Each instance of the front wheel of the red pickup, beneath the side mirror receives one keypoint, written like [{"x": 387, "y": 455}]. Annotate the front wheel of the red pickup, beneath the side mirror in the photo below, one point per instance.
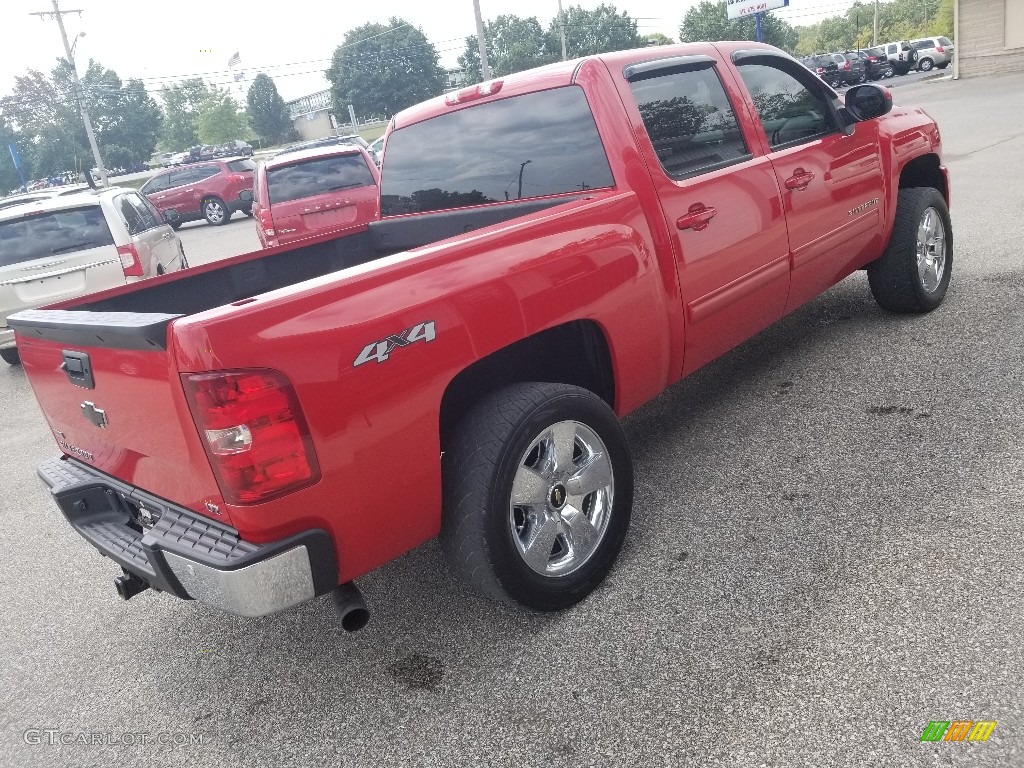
[{"x": 897, "y": 279}]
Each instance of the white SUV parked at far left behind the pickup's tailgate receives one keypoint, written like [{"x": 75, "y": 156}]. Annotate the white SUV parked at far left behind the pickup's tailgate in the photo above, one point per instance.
[{"x": 70, "y": 245}]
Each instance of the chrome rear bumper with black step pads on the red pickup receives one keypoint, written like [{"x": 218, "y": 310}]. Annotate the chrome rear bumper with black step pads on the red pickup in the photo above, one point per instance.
[{"x": 178, "y": 551}]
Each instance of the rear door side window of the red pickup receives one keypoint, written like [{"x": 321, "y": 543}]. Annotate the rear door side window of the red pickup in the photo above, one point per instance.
[{"x": 691, "y": 122}]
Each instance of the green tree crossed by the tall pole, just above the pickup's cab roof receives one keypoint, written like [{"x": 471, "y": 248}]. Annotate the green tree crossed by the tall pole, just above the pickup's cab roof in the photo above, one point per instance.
[{"x": 515, "y": 45}]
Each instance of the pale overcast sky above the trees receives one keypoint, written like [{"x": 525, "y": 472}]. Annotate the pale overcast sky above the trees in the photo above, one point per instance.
[{"x": 292, "y": 42}]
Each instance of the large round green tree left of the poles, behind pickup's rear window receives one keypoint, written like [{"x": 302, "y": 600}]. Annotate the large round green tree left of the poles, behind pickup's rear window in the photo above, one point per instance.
[{"x": 383, "y": 69}]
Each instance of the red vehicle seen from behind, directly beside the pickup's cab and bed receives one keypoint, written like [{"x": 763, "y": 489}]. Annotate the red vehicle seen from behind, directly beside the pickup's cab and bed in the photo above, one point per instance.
[{"x": 313, "y": 192}]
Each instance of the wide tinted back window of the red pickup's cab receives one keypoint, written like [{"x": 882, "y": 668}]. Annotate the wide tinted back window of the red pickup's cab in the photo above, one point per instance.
[{"x": 549, "y": 146}]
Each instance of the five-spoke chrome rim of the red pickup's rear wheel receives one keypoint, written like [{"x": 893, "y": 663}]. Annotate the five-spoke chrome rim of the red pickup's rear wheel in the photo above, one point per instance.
[{"x": 563, "y": 498}]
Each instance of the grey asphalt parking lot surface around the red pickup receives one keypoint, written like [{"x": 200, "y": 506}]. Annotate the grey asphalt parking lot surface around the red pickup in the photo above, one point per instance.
[{"x": 826, "y": 556}]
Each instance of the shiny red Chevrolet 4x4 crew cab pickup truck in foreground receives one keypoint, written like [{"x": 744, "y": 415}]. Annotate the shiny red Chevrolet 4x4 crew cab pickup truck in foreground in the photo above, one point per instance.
[{"x": 557, "y": 248}]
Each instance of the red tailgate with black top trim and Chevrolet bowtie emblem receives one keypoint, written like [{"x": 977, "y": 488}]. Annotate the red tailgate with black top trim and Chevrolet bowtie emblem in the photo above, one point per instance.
[{"x": 112, "y": 396}]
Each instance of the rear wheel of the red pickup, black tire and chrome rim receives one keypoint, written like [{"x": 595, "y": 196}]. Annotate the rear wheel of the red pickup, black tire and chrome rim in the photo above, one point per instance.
[{"x": 495, "y": 444}]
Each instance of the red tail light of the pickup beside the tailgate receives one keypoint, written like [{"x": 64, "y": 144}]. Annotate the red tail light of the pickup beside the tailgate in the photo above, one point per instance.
[{"x": 254, "y": 434}]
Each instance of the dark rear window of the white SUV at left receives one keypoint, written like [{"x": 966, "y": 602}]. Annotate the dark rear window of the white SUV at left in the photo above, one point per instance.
[{"x": 38, "y": 236}]
